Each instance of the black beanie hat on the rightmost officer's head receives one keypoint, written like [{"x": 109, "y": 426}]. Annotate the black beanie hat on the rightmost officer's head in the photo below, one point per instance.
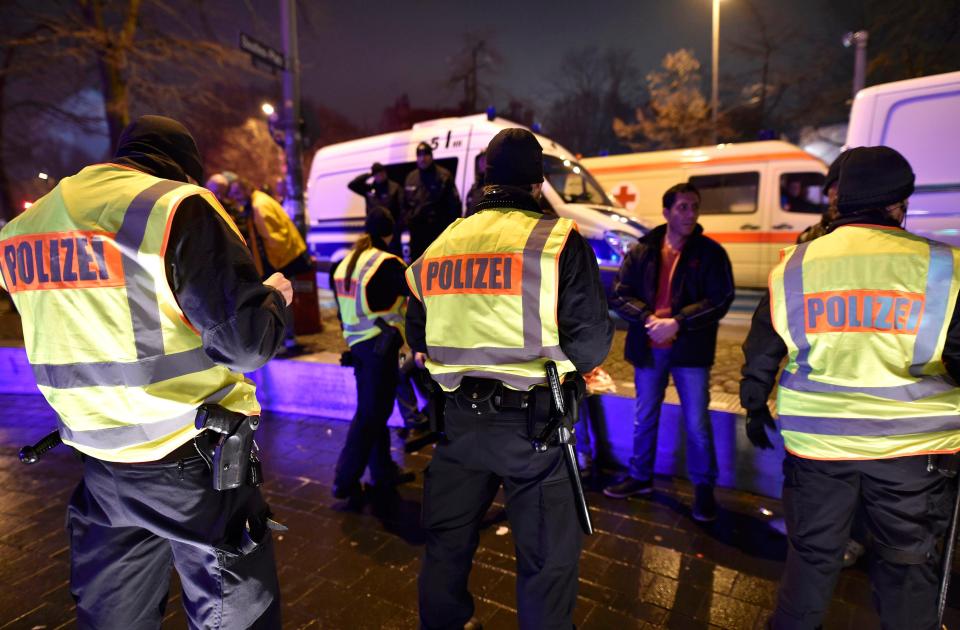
[{"x": 873, "y": 177}]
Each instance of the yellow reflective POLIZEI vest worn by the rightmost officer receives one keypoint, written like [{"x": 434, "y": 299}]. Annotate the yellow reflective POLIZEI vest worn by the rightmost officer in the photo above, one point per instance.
[{"x": 864, "y": 313}]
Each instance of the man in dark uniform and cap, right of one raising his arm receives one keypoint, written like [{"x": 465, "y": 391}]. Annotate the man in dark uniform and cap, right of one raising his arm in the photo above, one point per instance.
[{"x": 431, "y": 201}]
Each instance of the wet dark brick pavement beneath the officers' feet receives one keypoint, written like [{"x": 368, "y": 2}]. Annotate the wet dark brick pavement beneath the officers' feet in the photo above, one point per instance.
[{"x": 650, "y": 565}]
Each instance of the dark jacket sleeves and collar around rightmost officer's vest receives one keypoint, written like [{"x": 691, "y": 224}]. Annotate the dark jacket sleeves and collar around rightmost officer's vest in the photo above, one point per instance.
[{"x": 764, "y": 349}]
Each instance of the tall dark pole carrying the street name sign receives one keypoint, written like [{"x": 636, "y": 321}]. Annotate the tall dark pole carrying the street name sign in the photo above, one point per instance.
[{"x": 292, "y": 143}]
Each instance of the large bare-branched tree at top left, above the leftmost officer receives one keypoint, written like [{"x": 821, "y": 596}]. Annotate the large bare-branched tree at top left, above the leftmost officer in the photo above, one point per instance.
[{"x": 141, "y": 56}]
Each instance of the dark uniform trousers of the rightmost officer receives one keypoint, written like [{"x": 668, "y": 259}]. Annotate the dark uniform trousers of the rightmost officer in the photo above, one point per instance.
[{"x": 907, "y": 510}]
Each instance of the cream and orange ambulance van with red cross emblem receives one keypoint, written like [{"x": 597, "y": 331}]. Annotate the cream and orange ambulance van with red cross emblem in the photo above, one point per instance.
[{"x": 756, "y": 197}]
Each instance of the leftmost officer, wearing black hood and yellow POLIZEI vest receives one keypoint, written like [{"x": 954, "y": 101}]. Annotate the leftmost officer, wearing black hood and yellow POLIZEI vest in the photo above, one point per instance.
[{"x": 140, "y": 303}]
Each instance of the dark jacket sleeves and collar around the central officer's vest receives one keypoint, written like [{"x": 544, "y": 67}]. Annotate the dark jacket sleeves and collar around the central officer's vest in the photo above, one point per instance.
[{"x": 586, "y": 330}]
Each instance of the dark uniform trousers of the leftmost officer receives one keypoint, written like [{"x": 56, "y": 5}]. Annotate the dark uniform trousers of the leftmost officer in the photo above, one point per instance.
[{"x": 128, "y": 523}]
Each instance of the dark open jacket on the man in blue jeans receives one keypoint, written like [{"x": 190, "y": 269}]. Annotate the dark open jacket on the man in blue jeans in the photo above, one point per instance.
[{"x": 700, "y": 295}]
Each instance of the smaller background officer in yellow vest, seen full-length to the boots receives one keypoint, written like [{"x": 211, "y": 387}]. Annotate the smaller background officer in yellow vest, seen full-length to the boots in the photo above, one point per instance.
[{"x": 371, "y": 295}]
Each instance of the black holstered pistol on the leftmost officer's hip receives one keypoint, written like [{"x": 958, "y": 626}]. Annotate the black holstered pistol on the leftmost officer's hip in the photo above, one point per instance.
[{"x": 228, "y": 447}]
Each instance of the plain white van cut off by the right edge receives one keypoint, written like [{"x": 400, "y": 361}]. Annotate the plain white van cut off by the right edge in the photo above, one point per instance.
[{"x": 920, "y": 118}]
